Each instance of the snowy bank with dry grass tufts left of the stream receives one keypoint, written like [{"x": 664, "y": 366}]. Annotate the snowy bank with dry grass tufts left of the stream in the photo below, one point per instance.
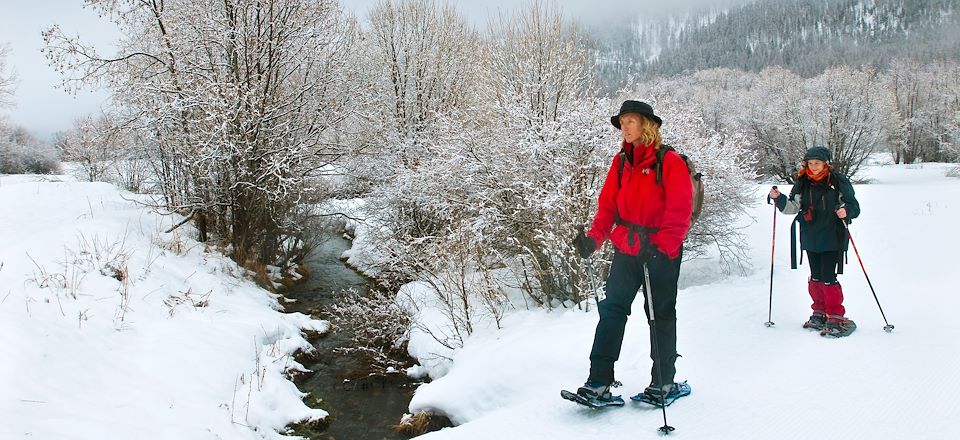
[{"x": 113, "y": 329}]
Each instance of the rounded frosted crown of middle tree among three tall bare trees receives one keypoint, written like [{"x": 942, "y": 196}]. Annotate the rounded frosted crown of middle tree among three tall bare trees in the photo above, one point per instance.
[{"x": 421, "y": 55}]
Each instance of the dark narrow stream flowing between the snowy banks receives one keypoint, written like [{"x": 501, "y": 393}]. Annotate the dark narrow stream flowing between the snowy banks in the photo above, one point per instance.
[{"x": 359, "y": 409}]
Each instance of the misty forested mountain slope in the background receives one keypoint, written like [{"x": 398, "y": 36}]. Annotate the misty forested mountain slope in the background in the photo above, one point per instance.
[{"x": 805, "y": 36}]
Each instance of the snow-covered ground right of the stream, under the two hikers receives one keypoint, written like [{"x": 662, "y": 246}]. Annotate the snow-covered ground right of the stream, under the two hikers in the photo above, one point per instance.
[{"x": 750, "y": 381}]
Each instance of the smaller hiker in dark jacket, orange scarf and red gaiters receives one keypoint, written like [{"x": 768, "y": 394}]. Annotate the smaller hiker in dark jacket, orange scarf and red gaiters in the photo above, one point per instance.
[{"x": 824, "y": 203}]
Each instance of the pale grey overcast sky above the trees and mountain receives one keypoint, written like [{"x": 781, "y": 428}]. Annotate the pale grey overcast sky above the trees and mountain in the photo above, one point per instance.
[{"x": 44, "y": 109}]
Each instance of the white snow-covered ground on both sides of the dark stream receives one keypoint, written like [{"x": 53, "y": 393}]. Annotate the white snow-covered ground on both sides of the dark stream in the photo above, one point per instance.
[{"x": 113, "y": 329}]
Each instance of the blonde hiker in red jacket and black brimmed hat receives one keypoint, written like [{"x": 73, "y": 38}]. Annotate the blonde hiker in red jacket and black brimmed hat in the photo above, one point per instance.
[{"x": 647, "y": 222}]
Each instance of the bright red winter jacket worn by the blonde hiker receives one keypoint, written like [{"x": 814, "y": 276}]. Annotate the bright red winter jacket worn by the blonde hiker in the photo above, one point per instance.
[{"x": 644, "y": 202}]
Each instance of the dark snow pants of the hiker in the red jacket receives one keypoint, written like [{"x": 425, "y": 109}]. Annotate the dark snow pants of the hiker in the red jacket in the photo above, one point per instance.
[{"x": 623, "y": 283}]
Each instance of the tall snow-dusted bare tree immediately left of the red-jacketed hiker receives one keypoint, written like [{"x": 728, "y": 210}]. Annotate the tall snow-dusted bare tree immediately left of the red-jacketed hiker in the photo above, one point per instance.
[{"x": 541, "y": 133}]
